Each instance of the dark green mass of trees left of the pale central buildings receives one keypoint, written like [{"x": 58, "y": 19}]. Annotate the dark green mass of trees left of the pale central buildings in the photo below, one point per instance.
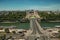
[{"x": 12, "y": 16}]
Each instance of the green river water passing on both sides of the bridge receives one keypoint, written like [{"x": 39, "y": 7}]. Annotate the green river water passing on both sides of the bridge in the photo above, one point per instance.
[{"x": 26, "y": 25}]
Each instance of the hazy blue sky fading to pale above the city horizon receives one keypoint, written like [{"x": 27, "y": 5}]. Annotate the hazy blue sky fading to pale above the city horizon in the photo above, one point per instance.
[{"x": 29, "y": 4}]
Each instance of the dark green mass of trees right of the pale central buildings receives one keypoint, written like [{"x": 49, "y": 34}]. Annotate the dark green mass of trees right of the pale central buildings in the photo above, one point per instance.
[{"x": 49, "y": 16}]
